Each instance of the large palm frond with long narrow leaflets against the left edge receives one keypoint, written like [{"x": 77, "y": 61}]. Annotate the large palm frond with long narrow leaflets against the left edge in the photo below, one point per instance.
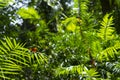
[{"x": 12, "y": 56}]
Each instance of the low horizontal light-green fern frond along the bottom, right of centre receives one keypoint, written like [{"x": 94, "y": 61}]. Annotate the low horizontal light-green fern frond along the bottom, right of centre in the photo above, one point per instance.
[{"x": 79, "y": 69}]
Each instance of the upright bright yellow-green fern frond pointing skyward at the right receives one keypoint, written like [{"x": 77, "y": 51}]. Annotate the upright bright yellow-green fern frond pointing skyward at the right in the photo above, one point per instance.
[{"x": 106, "y": 31}]
